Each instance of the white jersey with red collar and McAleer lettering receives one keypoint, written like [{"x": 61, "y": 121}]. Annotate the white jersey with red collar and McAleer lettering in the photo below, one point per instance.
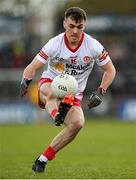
[{"x": 77, "y": 62}]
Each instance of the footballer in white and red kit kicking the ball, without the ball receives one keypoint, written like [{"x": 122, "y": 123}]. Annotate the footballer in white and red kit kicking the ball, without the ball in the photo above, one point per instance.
[{"x": 71, "y": 52}]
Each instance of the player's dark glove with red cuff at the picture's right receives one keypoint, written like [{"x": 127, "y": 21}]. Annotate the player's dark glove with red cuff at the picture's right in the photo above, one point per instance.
[{"x": 95, "y": 98}]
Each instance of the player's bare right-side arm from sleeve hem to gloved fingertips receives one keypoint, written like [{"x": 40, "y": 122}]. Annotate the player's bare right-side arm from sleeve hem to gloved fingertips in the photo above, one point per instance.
[{"x": 107, "y": 78}]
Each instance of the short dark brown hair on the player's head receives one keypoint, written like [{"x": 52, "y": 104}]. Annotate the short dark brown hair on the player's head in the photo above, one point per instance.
[{"x": 76, "y": 13}]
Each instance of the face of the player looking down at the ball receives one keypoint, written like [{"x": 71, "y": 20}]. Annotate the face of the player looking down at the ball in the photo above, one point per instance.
[{"x": 74, "y": 29}]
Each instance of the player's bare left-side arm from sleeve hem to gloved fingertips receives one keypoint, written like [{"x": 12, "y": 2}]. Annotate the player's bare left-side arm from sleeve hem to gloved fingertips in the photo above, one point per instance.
[{"x": 28, "y": 74}]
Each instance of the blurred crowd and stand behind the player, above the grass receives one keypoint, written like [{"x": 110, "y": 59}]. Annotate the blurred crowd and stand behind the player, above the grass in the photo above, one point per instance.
[{"x": 26, "y": 25}]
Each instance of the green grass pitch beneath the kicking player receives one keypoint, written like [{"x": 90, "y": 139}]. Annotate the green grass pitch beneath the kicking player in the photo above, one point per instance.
[{"x": 102, "y": 150}]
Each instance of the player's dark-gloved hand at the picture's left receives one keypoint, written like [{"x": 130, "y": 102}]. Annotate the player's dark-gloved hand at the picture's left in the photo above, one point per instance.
[{"x": 24, "y": 86}]
